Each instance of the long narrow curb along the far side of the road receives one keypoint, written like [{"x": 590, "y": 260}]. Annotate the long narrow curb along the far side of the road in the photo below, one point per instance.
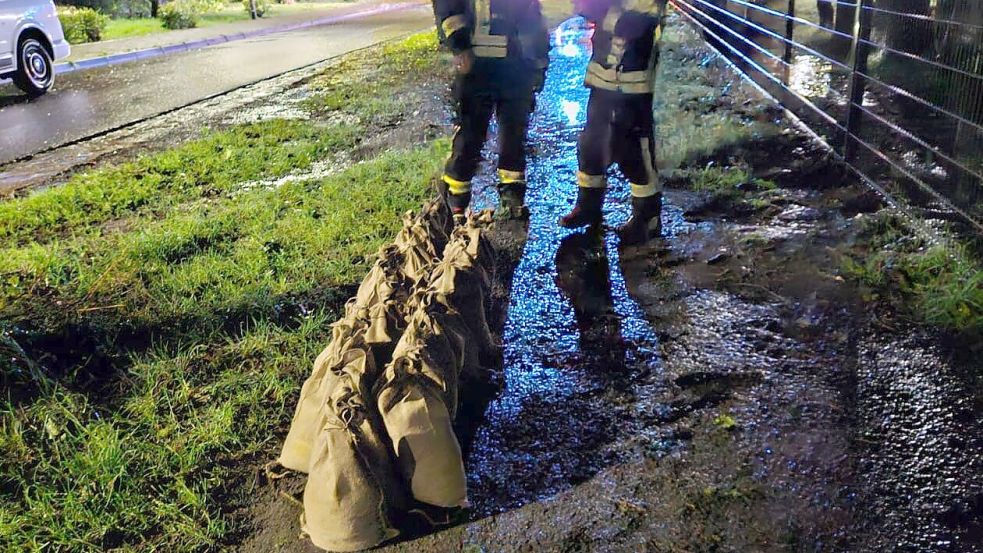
[{"x": 157, "y": 51}]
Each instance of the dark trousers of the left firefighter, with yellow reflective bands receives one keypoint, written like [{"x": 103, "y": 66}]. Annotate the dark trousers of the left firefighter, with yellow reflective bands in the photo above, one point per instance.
[{"x": 477, "y": 100}]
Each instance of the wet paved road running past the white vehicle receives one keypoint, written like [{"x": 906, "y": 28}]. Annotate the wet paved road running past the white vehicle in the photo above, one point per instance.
[{"x": 89, "y": 102}]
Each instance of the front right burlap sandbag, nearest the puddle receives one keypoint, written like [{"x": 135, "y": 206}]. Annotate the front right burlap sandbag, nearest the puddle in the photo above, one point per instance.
[{"x": 419, "y": 425}]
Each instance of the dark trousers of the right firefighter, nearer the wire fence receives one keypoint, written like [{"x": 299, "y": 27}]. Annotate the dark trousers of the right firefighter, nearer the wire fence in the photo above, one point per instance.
[{"x": 620, "y": 129}]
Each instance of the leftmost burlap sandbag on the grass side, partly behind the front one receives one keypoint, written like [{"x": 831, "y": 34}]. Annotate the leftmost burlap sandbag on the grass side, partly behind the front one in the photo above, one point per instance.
[{"x": 346, "y": 335}]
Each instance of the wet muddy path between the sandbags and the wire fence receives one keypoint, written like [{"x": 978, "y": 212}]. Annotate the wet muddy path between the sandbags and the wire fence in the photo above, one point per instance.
[{"x": 722, "y": 389}]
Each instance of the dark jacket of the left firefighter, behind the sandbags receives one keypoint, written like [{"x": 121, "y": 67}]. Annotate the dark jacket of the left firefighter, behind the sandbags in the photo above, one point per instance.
[{"x": 500, "y": 29}]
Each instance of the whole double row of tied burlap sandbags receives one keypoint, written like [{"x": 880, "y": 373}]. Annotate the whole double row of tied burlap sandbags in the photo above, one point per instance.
[{"x": 373, "y": 425}]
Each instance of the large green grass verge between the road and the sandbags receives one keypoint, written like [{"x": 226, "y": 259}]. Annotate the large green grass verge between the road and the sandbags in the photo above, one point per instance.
[{"x": 206, "y": 294}]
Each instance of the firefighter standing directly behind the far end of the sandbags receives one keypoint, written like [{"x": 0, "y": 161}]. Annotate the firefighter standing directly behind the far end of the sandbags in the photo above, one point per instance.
[{"x": 501, "y": 52}]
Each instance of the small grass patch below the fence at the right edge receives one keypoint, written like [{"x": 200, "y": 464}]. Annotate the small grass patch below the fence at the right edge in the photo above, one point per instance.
[{"x": 939, "y": 284}]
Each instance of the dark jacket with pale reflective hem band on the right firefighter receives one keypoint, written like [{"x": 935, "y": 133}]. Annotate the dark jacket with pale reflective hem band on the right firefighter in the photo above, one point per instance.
[{"x": 626, "y": 44}]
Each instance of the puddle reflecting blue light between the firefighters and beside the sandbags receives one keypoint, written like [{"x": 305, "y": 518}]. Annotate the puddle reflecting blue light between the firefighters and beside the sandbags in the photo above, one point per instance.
[{"x": 572, "y": 329}]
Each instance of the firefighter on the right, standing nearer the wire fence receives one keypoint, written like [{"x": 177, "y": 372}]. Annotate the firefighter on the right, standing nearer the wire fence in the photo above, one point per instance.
[{"x": 620, "y": 126}]
